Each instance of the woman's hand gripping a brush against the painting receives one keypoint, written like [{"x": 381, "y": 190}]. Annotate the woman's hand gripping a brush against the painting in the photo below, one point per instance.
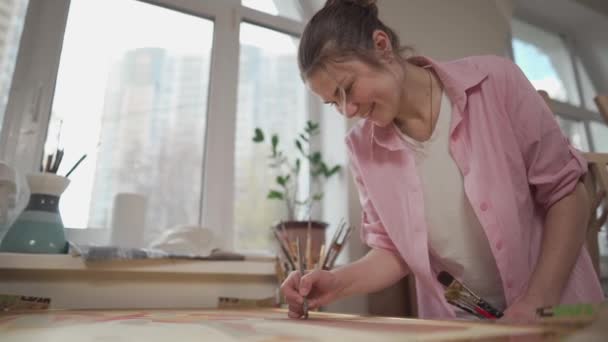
[{"x": 319, "y": 287}]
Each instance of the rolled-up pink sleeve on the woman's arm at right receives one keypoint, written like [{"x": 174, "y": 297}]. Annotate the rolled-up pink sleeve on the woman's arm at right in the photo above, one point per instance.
[{"x": 553, "y": 166}]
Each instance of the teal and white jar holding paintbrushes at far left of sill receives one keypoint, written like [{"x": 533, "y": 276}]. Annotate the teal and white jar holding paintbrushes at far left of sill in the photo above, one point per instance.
[{"x": 39, "y": 228}]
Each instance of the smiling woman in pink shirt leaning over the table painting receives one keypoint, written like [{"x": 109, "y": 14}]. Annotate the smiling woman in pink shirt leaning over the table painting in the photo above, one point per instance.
[{"x": 460, "y": 167}]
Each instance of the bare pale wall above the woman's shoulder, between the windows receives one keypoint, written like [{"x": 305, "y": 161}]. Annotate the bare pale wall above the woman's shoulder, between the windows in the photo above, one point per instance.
[{"x": 450, "y": 29}]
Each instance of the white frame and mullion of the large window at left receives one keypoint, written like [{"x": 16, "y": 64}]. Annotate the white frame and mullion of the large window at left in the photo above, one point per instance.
[{"x": 35, "y": 77}]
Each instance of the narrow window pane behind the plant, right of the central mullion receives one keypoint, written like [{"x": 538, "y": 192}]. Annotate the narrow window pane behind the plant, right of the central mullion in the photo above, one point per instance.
[{"x": 270, "y": 96}]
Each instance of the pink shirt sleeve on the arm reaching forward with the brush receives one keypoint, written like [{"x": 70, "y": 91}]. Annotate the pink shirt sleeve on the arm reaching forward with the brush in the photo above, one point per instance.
[{"x": 372, "y": 230}]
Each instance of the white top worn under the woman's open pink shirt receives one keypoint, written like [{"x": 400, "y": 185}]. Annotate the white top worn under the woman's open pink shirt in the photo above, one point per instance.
[{"x": 454, "y": 232}]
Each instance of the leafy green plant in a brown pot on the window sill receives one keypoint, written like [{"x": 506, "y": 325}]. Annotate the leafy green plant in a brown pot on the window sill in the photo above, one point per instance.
[{"x": 286, "y": 170}]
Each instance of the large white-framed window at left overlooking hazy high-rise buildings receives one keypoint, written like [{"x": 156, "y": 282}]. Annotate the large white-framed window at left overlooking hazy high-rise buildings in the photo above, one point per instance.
[{"x": 165, "y": 108}]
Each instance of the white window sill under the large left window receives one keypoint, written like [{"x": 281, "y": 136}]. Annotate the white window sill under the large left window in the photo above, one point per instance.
[{"x": 252, "y": 265}]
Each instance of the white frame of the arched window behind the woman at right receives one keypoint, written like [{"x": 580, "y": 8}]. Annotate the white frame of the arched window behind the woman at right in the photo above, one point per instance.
[{"x": 567, "y": 111}]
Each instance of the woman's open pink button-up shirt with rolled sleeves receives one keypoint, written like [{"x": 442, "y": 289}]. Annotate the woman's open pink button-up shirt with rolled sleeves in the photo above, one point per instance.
[{"x": 515, "y": 162}]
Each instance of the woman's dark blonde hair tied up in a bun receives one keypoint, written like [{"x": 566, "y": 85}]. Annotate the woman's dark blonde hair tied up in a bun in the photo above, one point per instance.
[{"x": 343, "y": 30}]
